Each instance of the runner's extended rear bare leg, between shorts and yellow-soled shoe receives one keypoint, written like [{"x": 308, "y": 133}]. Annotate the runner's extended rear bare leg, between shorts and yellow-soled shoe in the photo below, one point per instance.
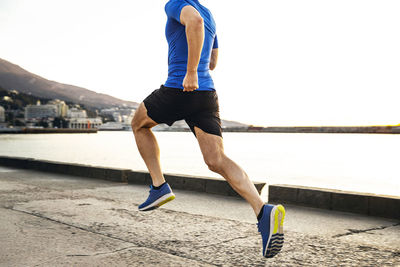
[{"x": 213, "y": 153}]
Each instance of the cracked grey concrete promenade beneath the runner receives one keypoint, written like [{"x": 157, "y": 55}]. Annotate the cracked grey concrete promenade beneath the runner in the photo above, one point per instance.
[{"x": 49, "y": 219}]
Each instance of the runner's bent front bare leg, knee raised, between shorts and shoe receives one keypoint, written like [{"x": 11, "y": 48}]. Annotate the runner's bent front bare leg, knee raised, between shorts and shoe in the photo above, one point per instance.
[{"x": 147, "y": 144}]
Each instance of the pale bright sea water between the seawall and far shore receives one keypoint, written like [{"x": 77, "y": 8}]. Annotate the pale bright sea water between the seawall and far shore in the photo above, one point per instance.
[{"x": 356, "y": 162}]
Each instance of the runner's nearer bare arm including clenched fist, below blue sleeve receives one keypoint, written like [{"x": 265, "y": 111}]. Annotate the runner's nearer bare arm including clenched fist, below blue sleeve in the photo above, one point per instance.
[{"x": 194, "y": 27}]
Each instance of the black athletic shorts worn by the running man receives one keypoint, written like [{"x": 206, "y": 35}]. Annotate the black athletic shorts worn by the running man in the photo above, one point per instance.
[{"x": 197, "y": 108}]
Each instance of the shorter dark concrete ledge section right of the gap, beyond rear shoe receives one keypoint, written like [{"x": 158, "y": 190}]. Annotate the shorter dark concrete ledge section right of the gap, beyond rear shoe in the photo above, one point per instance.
[{"x": 369, "y": 204}]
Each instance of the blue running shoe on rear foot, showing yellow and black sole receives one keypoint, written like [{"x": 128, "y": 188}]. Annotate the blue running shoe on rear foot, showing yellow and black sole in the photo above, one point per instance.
[{"x": 271, "y": 228}]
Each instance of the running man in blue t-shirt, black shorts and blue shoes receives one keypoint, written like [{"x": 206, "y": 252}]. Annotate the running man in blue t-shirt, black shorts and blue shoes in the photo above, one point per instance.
[{"x": 189, "y": 94}]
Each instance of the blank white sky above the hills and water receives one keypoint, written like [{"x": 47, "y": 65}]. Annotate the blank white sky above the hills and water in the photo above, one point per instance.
[{"x": 292, "y": 62}]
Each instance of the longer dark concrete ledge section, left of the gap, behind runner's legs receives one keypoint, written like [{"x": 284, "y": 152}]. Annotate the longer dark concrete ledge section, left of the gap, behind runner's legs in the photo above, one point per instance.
[{"x": 191, "y": 183}]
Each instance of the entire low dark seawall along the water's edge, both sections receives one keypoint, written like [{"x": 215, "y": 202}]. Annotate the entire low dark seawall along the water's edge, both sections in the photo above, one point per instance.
[{"x": 361, "y": 203}]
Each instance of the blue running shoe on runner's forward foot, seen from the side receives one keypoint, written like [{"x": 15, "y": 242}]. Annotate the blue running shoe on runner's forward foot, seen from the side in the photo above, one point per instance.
[{"x": 157, "y": 197}]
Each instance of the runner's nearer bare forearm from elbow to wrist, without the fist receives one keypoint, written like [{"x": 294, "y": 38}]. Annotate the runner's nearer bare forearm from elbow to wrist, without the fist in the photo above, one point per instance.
[{"x": 195, "y": 40}]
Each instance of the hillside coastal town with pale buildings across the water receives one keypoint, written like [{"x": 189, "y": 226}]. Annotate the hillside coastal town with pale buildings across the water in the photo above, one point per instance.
[{"x": 57, "y": 116}]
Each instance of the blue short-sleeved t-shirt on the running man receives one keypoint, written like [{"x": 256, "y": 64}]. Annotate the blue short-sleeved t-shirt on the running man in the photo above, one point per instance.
[{"x": 178, "y": 48}]
